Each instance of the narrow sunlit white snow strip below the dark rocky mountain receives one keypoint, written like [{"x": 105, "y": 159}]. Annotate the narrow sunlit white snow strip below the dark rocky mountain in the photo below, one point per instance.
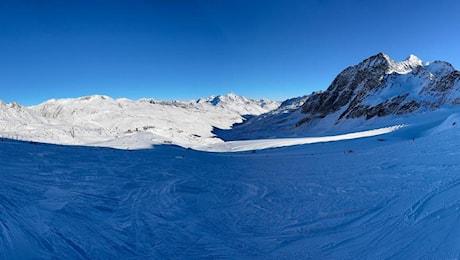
[{"x": 249, "y": 145}]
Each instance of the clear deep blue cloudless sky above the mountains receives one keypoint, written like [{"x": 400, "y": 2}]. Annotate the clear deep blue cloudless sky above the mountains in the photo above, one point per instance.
[{"x": 190, "y": 49}]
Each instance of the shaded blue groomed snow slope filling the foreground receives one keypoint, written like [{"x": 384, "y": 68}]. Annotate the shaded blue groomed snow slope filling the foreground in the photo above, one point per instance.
[{"x": 389, "y": 196}]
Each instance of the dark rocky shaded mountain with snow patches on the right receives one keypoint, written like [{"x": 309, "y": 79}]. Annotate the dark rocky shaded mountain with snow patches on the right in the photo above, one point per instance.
[{"x": 375, "y": 91}]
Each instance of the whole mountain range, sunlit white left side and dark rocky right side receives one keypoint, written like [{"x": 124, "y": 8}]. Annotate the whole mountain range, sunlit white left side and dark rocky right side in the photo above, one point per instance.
[{"x": 374, "y": 93}]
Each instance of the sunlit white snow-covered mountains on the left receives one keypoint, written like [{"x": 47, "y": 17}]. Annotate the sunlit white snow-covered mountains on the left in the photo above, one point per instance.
[{"x": 122, "y": 123}]
